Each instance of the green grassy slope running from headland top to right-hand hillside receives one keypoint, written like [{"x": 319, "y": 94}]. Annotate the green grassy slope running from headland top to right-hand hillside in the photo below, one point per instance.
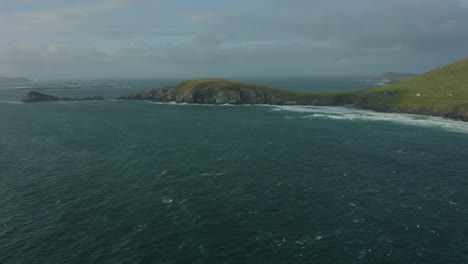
[{"x": 444, "y": 89}]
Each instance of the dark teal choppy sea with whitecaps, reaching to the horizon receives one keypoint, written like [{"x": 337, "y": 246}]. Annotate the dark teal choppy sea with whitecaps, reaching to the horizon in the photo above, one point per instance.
[{"x": 140, "y": 182}]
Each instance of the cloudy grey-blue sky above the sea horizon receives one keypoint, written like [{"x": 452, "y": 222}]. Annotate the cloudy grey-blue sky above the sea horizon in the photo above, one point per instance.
[{"x": 62, "y": 39}]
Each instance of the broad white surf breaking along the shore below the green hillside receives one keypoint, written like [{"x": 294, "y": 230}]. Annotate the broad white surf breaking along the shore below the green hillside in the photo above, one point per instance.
[{"x": 341, "y": 113}]
